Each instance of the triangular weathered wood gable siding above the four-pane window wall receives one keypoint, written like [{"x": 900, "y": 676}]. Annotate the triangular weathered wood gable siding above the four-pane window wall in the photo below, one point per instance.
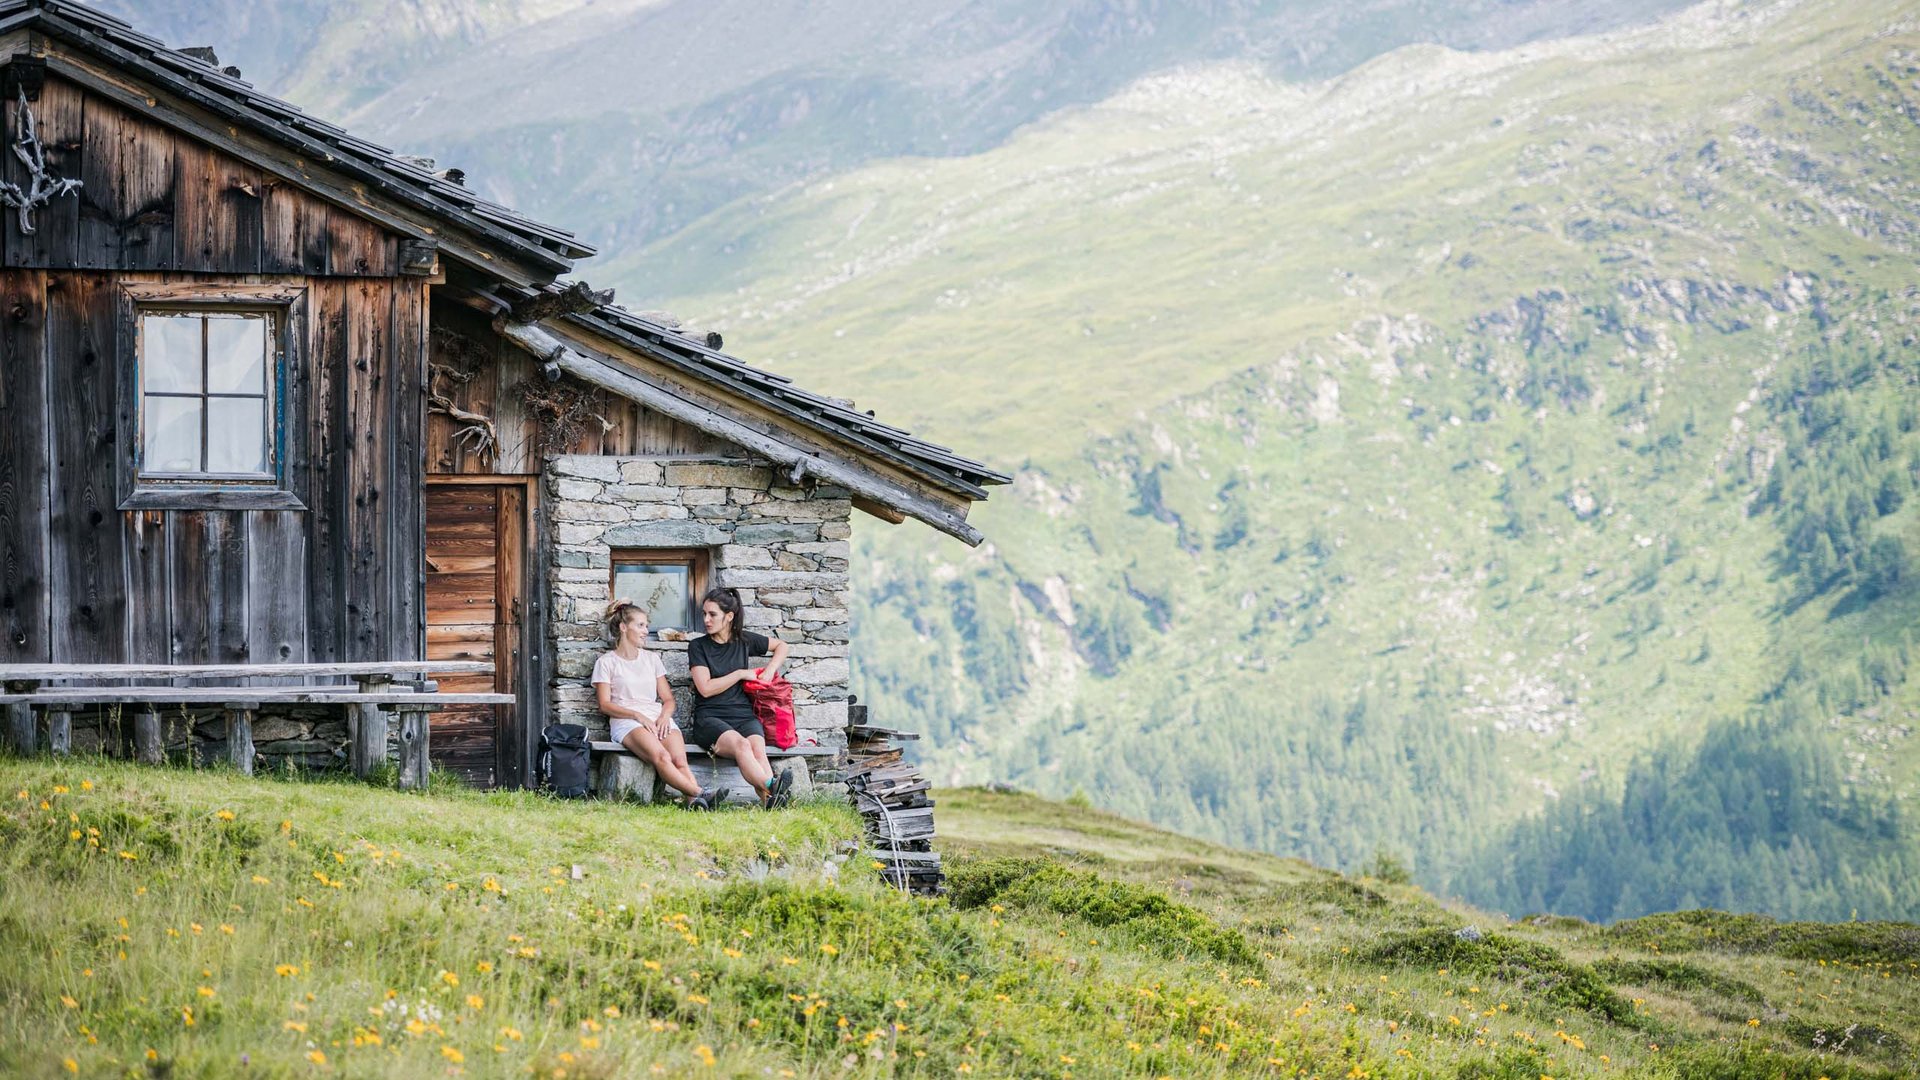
[{"x": 158, "y": 201}]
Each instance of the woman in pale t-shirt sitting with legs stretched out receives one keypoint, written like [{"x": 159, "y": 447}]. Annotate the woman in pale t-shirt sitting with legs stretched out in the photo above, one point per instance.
[{"x": 640, "y": 706}]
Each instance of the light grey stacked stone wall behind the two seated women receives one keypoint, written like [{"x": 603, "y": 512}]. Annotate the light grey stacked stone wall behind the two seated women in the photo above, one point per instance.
[{"x": 782, "y": 547}]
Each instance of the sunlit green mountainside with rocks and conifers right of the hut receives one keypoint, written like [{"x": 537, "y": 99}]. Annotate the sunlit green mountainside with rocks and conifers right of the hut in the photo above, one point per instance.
[{"x": 1412, "y": 454}]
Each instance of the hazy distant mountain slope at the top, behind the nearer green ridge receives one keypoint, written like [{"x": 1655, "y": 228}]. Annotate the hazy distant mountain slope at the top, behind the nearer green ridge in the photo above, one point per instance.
[{"x": 633, "y": 118}]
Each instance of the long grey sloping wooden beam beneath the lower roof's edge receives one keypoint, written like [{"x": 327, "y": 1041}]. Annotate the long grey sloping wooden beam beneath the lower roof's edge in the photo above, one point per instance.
[{"x": 608, "y": 372}]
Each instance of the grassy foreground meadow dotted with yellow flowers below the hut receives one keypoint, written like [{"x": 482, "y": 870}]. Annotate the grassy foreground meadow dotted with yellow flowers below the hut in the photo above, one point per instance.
[{"x": 172, "y": 923}]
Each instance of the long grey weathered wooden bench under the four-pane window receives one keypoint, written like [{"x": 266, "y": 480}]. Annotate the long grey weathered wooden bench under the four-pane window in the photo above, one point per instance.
[{"x": 373, "y": 689}]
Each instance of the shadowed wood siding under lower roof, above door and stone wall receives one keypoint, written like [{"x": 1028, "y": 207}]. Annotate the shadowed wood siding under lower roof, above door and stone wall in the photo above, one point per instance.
[{"x": 466, "y": 345}]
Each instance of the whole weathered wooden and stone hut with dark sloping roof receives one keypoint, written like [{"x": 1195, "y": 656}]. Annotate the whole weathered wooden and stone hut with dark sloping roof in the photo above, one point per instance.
[{"x": 272, "y": 395}]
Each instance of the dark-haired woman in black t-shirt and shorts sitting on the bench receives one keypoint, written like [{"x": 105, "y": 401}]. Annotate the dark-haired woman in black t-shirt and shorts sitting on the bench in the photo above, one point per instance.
[{"x": 723, "y": 716}]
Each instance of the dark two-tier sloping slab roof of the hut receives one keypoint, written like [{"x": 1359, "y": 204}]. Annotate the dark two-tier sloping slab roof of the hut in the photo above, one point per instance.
[{"x": 517, "y": 255}]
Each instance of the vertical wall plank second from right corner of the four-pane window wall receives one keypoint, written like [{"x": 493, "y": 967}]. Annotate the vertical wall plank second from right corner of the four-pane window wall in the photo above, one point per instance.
[{"x": 368, "y": 464}]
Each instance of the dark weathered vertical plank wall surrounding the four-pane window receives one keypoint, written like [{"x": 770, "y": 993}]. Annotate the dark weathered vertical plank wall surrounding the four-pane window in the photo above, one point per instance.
[{"x": 87, "y": 583}]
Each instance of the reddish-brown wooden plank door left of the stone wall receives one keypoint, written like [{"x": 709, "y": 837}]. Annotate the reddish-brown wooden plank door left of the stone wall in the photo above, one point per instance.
[{"x": 475, "y": 556}]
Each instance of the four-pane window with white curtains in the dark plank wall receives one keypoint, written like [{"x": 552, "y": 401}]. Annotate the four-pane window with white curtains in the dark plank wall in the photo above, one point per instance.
[{"x": 208, "y": 399}]
